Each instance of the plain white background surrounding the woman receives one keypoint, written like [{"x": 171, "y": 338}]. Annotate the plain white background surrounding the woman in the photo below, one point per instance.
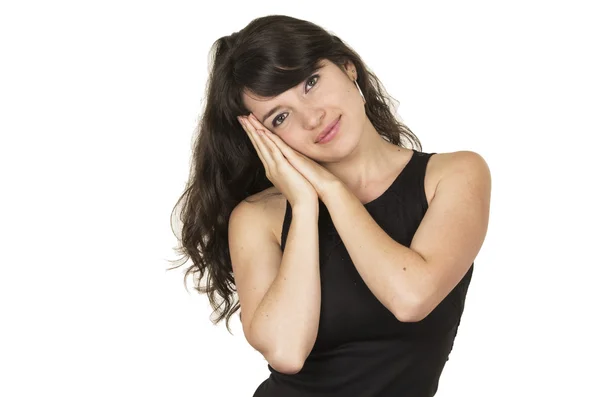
[{"x": 99, "y": 102}]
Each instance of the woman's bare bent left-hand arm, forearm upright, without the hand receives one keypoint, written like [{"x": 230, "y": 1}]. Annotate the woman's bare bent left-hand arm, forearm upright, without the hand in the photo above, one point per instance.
[{"x": 280, "y": 293}]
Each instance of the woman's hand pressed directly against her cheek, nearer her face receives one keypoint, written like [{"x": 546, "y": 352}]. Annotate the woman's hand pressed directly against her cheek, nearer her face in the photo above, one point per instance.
[{"x": 277, "y": 151}]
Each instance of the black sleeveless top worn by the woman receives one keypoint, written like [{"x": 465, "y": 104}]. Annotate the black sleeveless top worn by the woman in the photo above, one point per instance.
[{"x": 361, "y": 349}]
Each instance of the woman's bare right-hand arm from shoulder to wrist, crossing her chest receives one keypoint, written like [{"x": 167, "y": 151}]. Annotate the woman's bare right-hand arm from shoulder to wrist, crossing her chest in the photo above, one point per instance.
[{"x": 412, "y": 281}]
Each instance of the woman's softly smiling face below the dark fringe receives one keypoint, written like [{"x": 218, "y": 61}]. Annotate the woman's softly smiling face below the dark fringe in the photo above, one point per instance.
[{"x": 299, "y": 115}]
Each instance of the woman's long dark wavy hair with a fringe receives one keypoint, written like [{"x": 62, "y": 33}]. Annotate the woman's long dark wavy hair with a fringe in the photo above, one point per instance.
[{"x": 269, "y": 56}]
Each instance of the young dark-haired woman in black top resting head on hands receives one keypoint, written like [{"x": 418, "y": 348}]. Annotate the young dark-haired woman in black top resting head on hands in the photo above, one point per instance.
[{"x": 350, "y": 253}]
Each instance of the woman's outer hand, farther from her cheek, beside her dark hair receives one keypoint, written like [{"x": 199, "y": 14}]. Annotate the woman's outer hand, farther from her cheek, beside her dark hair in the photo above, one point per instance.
[{"x": 278, "y": 170}]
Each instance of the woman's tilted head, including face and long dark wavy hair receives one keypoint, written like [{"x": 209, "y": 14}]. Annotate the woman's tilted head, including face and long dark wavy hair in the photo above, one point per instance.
[{"x": 272, "y": 61}]
